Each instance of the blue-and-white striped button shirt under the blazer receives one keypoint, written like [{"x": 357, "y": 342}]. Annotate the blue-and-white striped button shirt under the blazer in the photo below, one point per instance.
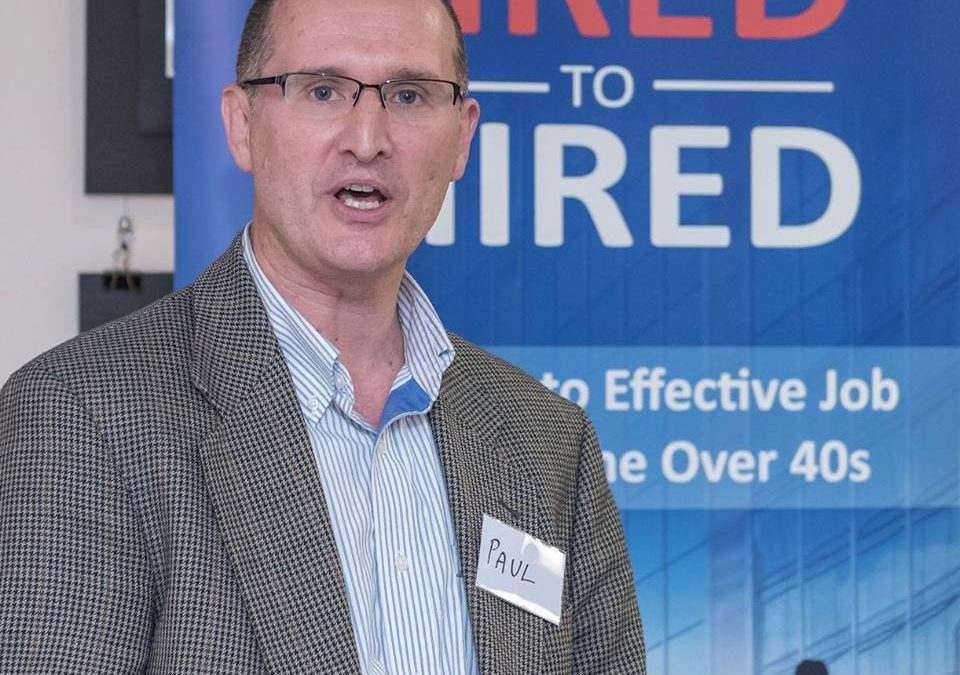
[{"x": 385, "y": 490}]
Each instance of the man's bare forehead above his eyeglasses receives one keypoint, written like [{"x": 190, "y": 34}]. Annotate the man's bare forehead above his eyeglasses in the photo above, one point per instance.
[{"x": 363, "y": 38}]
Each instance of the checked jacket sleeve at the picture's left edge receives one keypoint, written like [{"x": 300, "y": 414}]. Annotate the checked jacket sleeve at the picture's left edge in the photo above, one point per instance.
[{"x": 75, "y": 583}]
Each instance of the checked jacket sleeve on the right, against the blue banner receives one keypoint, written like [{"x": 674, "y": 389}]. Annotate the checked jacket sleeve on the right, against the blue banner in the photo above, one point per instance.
[{"x": 608, "y": 636}]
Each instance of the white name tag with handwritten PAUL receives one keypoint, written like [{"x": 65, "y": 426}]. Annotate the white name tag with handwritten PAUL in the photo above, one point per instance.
[{"x": 521, "y": 569}]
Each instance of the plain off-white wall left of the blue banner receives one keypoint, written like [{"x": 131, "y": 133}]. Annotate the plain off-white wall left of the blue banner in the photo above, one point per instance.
[{"x": 49, "y": 229}]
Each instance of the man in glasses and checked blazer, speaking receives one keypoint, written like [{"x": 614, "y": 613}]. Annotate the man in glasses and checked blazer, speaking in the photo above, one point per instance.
[{"x": 289, "y": 466}]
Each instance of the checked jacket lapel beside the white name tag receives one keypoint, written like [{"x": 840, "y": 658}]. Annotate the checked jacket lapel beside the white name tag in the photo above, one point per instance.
[{"x": 481, "y": 479}]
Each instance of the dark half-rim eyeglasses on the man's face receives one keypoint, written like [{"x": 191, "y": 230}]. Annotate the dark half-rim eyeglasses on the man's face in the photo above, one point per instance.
[{"x": 322, "y": 97}]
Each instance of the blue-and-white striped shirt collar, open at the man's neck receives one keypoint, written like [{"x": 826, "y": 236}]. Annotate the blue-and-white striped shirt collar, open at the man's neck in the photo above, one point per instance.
[{"x": 314, "y": 361}]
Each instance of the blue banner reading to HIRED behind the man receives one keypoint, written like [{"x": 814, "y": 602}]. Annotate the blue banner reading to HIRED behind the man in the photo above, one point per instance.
[{"x": 729, "y": 231}]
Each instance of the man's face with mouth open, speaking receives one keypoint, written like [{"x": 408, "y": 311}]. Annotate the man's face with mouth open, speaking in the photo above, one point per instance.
[{"x": 304, "y": 222}]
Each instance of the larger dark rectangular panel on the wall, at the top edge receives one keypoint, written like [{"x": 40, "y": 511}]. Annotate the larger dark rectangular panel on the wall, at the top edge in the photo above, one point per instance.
[{"x": 129, "y": 144}]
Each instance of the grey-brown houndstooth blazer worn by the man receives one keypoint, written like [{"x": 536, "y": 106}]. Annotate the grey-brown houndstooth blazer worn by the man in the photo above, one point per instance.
[{"x": 161, "y": 509}]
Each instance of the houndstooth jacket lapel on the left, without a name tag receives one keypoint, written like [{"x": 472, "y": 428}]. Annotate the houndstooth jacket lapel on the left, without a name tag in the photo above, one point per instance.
[{"x": 263, "y": 481}]
